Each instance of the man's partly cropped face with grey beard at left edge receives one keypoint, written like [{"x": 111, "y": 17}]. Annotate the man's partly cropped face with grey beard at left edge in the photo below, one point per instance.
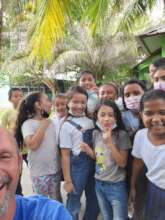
[{"x": 10, "y": 167}]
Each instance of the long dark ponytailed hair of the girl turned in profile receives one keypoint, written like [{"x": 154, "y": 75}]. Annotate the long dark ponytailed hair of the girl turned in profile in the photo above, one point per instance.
[{"x": 26, "y": 110}]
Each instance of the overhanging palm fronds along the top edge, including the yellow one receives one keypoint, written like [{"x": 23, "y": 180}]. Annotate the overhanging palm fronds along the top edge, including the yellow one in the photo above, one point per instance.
[{"x": 53, "y": 16}]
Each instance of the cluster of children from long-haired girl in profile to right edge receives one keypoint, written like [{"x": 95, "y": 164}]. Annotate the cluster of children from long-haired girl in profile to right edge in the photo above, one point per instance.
[{"x": 88, "y": 144}]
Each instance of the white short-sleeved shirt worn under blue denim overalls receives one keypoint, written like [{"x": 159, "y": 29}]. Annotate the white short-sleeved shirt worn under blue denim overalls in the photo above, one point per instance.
[{"x": 70, "y": 136}]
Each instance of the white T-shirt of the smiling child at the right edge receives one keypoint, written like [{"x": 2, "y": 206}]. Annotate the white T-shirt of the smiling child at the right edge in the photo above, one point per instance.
[{"x": 153, "y": 157}]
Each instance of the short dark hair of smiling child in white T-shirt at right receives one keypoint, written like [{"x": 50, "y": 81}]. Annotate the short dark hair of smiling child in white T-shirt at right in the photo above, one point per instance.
[{"x": 151, "y": 95}]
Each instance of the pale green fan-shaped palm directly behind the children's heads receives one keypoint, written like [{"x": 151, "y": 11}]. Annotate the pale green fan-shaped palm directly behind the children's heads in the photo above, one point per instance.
[{"x": 101, "y": 54}]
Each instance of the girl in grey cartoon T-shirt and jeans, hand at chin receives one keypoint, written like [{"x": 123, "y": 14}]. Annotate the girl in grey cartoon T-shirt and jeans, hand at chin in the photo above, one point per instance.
[{"x": 111, "y": 145}]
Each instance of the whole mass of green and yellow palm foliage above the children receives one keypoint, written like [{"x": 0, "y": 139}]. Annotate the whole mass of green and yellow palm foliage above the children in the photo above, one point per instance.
[{"x": 62, "y": 35}]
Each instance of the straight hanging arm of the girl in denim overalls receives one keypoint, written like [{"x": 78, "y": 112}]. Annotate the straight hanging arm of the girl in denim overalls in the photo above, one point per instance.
[{"x": 66, "y": 170}]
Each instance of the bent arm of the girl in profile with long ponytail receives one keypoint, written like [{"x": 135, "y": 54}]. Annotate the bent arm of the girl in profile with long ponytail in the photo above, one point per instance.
[{"x": 34, "y": 141}]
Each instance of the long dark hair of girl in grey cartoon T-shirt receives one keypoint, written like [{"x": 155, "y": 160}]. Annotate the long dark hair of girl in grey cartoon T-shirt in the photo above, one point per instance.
[{"x": 112, "y": 104}]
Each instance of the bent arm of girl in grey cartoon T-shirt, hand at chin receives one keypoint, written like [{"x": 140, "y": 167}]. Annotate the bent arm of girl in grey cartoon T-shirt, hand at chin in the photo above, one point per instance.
[{"x": 120, "y": 156}]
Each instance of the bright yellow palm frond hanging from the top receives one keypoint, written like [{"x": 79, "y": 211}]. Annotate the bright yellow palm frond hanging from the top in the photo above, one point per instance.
[{"x": 49, "y": 29}]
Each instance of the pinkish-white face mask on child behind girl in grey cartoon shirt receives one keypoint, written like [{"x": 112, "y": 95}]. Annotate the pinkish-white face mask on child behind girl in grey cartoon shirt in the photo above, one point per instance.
[{"x": 133, "y": 102}]
